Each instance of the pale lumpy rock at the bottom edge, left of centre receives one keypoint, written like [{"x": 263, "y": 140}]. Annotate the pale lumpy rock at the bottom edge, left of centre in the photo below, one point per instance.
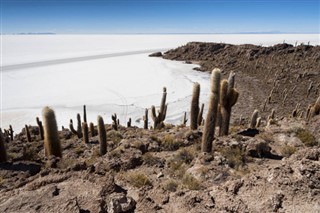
[{"x": 120, "y": 203}]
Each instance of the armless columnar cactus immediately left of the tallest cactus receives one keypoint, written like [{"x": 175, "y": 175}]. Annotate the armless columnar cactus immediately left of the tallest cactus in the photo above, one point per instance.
[{"x": 195, "y": 106}]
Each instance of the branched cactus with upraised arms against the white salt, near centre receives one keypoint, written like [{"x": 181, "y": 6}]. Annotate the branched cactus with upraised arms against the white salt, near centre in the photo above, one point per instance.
[{"x": 158, "y": 119}]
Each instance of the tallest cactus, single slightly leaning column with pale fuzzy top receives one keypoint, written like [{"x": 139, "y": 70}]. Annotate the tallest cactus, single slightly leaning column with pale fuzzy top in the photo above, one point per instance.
[{"x": 209, "y": 126}]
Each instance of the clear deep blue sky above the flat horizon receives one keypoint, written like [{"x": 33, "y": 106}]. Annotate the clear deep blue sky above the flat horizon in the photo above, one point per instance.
[{"x": 160, "y": 16}]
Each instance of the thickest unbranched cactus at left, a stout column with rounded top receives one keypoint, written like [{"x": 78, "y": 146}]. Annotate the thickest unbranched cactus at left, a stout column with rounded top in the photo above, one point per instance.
[{"x": 51, "y": 137}]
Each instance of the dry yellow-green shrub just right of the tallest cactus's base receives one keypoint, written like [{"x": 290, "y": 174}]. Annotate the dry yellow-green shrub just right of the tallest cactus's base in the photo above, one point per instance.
[{"x": 235, "y": 156}]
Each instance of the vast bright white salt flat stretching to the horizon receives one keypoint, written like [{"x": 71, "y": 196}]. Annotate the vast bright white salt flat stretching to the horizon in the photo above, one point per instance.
[{"x": 125, "y": 84}]
